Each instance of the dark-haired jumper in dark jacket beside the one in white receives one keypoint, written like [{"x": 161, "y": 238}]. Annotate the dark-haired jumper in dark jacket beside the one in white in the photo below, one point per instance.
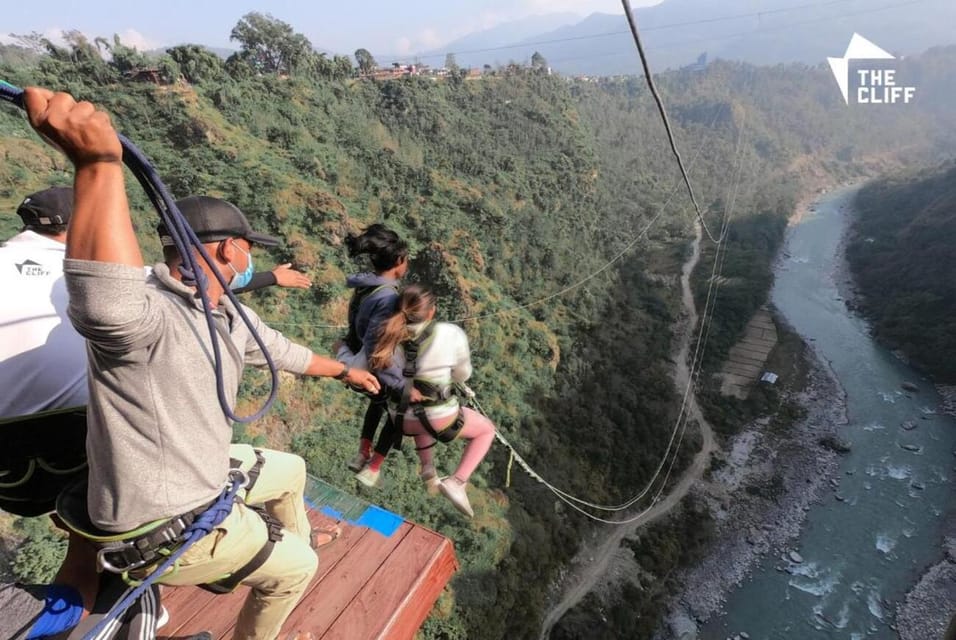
[{"x": 373, "y": 302}]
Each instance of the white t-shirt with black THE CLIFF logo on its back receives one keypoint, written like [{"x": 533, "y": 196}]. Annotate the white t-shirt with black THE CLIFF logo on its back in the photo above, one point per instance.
[{"x": 42, "y": 358}]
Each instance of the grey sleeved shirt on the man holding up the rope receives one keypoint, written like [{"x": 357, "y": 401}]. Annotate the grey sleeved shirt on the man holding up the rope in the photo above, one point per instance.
[{"x": 158, "y": 442}]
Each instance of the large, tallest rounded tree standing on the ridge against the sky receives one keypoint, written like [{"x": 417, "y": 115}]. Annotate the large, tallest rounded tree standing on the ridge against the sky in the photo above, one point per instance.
[{"x": 271, "y": 45}]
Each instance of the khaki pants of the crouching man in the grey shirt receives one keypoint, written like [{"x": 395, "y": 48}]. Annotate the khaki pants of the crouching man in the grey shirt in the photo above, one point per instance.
[{"x": 279, "y": 583}]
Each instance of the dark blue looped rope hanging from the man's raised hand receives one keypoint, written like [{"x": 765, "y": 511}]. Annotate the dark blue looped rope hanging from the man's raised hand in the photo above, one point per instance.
[{"x": 184, "y": 239}]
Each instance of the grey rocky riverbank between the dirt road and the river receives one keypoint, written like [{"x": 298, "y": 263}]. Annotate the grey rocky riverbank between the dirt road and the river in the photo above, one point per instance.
[{"x": 759, "y": 497}]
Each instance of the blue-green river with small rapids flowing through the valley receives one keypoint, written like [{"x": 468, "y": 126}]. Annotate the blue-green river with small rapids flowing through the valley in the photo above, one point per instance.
[{"x": 862, "y": 553}]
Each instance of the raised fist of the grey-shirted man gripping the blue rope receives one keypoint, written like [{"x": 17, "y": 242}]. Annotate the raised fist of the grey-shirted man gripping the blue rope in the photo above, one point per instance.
[{"x": 77, "y": 129}]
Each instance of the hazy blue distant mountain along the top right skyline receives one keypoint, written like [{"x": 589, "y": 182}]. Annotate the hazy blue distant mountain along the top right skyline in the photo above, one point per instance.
[{"x": 676, "y": 32}]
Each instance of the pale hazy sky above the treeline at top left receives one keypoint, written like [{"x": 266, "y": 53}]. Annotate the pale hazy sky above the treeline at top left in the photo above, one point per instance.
[{"x": 378, "y": 25}]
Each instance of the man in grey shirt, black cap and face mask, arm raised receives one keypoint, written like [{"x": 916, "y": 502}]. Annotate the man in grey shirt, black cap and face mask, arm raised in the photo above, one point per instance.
[{"x": 158, "y": 441}]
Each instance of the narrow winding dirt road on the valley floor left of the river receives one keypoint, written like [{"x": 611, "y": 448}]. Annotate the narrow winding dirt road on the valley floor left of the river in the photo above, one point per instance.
[{"x": 599, "y": 554}]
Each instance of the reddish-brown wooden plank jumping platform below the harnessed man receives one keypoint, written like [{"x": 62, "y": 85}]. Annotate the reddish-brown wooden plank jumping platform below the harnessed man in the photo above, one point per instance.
[{"x": 367, "y": 586}]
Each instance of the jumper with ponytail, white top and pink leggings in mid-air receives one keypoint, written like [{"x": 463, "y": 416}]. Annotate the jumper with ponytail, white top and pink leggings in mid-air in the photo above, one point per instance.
[{"x": 435, "y": 358}]
